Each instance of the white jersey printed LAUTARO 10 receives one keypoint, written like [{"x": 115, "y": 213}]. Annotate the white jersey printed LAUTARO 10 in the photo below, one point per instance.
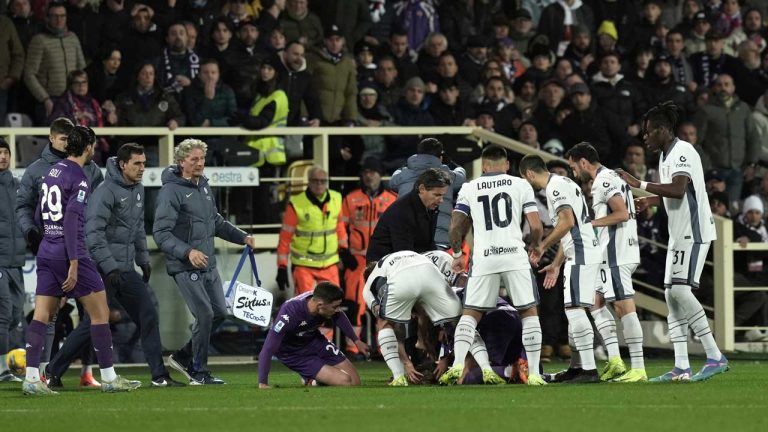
[{"x": 496, "y": 203}]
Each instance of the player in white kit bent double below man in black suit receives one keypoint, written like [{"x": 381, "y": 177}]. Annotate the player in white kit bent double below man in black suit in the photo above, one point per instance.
[{"x": 393, "y": 286}]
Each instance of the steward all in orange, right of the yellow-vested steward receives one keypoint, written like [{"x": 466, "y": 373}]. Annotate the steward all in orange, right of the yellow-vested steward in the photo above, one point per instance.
[{"x": 361, "y": 211}]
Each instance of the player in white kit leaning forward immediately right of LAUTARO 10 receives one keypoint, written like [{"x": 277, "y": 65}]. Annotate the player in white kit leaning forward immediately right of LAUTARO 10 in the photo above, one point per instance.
[{"x": 581, "y": 252}]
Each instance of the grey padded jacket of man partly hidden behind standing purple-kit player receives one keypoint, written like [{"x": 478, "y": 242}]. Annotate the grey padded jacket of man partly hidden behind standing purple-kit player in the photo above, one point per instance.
[{"x": 29, "y": 189}]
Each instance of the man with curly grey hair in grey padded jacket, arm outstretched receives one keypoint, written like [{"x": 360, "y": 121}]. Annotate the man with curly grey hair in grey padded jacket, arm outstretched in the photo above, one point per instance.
[{"x": 186, "y": 222}]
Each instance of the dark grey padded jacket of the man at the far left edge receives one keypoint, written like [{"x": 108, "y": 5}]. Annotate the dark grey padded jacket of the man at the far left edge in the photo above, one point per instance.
[{"x": 13, "y": 247}]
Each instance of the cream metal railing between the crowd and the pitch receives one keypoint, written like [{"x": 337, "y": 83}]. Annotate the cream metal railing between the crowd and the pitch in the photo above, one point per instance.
[{"x": 723, "y": 250}]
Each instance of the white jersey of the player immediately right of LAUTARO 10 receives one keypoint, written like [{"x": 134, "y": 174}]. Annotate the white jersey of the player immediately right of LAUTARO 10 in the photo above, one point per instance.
[{"x": 580, "y": 243}]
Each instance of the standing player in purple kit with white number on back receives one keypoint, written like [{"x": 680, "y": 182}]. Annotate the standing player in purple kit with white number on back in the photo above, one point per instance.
[{"x": 64, "y": 267}]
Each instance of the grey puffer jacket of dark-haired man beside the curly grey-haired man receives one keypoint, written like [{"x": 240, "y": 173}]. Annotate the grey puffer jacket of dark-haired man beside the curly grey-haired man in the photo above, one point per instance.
[{"x": 114, "y": 226}]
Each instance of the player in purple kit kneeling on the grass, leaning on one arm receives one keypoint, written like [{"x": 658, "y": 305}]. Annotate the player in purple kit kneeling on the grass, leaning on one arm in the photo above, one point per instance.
[{"x": 297, "y": 342}]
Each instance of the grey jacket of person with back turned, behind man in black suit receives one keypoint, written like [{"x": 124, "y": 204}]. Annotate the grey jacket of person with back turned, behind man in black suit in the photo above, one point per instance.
[{"x": 403, "y": 179}]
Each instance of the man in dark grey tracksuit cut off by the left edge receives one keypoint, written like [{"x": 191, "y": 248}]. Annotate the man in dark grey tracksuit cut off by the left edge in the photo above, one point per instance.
[{"x": 12, "y": 251}]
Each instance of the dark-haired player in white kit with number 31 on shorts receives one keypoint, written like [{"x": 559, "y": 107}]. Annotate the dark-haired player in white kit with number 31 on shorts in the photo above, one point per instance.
[{"x": 691, "y": 230}]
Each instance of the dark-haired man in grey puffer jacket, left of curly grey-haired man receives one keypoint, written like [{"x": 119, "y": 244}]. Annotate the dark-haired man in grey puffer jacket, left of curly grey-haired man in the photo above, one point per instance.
[{"x": 116, "y": 240}]
